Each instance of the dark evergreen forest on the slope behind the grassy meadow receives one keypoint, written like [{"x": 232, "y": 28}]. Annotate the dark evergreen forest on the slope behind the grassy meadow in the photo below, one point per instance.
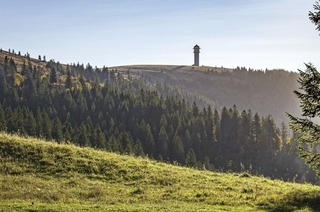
[{"x": 100, "y": 108}]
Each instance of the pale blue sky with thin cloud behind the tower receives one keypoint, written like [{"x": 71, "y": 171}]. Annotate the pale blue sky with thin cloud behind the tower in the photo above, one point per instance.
[{"x": 260, "y": 34}]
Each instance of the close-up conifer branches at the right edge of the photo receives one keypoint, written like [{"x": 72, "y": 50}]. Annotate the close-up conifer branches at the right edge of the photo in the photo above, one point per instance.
[{"x": 306, "y": 128}]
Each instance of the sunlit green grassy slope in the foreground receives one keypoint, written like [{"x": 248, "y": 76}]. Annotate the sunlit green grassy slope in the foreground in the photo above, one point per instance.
[{"x": 43, "y": 176}]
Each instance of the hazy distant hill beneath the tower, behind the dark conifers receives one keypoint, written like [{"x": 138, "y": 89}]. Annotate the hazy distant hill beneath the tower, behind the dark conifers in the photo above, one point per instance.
[{"x": 268, "y": 92}]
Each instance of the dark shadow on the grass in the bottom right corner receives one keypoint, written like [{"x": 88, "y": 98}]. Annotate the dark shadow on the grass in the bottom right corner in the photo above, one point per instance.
[{"x": 298, "y": 200}]
